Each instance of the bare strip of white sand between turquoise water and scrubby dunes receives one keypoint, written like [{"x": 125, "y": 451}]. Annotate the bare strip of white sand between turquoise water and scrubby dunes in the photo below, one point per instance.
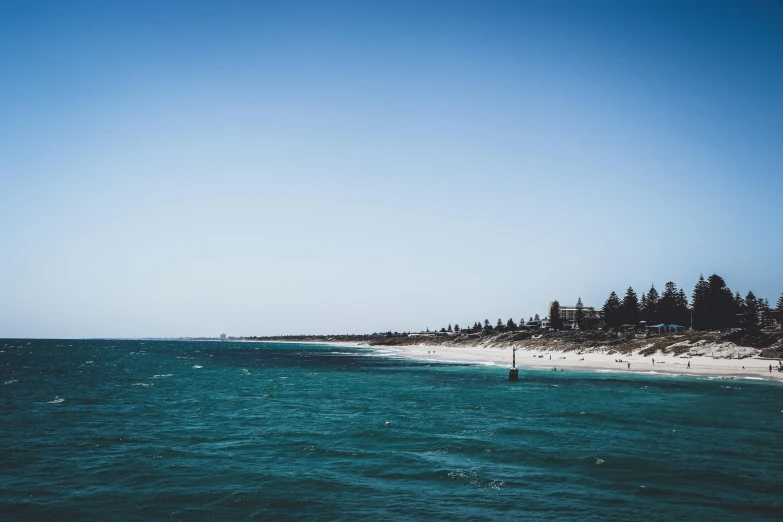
[{"x": 570, "y": 361}]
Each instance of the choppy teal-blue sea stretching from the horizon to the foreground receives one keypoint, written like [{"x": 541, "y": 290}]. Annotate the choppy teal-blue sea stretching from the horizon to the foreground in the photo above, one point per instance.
[{"x": 137, "y": 430}]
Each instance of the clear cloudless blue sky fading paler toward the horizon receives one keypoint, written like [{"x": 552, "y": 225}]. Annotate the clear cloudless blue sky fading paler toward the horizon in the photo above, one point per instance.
[{"x": 191, "y": 168}]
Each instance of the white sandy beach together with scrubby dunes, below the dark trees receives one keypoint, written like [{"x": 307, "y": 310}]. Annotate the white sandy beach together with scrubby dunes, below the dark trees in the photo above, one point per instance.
[{"x": 740, "y": 355}]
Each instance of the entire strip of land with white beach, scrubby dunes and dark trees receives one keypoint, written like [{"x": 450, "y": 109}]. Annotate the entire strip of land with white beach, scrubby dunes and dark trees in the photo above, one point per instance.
[{"x": 734, "y": 333}]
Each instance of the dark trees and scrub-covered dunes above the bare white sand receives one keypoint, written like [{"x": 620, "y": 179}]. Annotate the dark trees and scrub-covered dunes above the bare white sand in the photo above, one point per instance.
[{"x": 667, "y": 323}]
